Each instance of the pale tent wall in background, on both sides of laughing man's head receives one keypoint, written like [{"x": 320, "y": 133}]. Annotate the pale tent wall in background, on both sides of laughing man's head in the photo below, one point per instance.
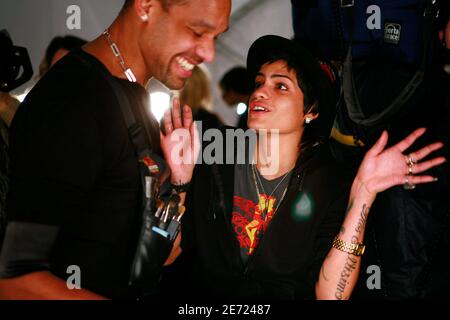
[{"x": 32, "y": 24}]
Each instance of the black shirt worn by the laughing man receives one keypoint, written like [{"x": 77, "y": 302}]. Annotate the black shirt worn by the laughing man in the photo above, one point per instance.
[{"x": 73, "y": 167}]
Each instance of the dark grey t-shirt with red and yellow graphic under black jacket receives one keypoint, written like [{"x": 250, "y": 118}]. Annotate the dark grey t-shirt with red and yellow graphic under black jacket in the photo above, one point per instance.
[{"x": 253, "y": 211}]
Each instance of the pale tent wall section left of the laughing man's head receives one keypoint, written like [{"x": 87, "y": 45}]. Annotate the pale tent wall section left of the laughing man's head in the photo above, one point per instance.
[{"x": 33, "y": 24}]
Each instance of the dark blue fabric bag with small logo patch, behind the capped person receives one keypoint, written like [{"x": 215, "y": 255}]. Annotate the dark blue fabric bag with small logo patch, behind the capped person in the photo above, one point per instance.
[{"x": 318, "y": 24}]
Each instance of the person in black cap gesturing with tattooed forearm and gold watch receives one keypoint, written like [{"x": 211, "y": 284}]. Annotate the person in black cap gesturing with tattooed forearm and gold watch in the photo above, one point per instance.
[{"x": 277, "y": 225}]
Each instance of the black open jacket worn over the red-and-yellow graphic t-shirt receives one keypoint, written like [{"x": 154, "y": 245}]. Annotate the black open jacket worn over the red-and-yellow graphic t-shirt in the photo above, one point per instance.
[{"x": 287, "y": 262}]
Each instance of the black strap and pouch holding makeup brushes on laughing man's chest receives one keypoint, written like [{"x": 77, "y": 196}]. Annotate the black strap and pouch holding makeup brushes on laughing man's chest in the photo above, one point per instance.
[{"x": 161, "y": 220}]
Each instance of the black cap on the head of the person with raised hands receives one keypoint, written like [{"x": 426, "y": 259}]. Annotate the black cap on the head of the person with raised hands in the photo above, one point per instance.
[{"x": 267, "y": 47}]
